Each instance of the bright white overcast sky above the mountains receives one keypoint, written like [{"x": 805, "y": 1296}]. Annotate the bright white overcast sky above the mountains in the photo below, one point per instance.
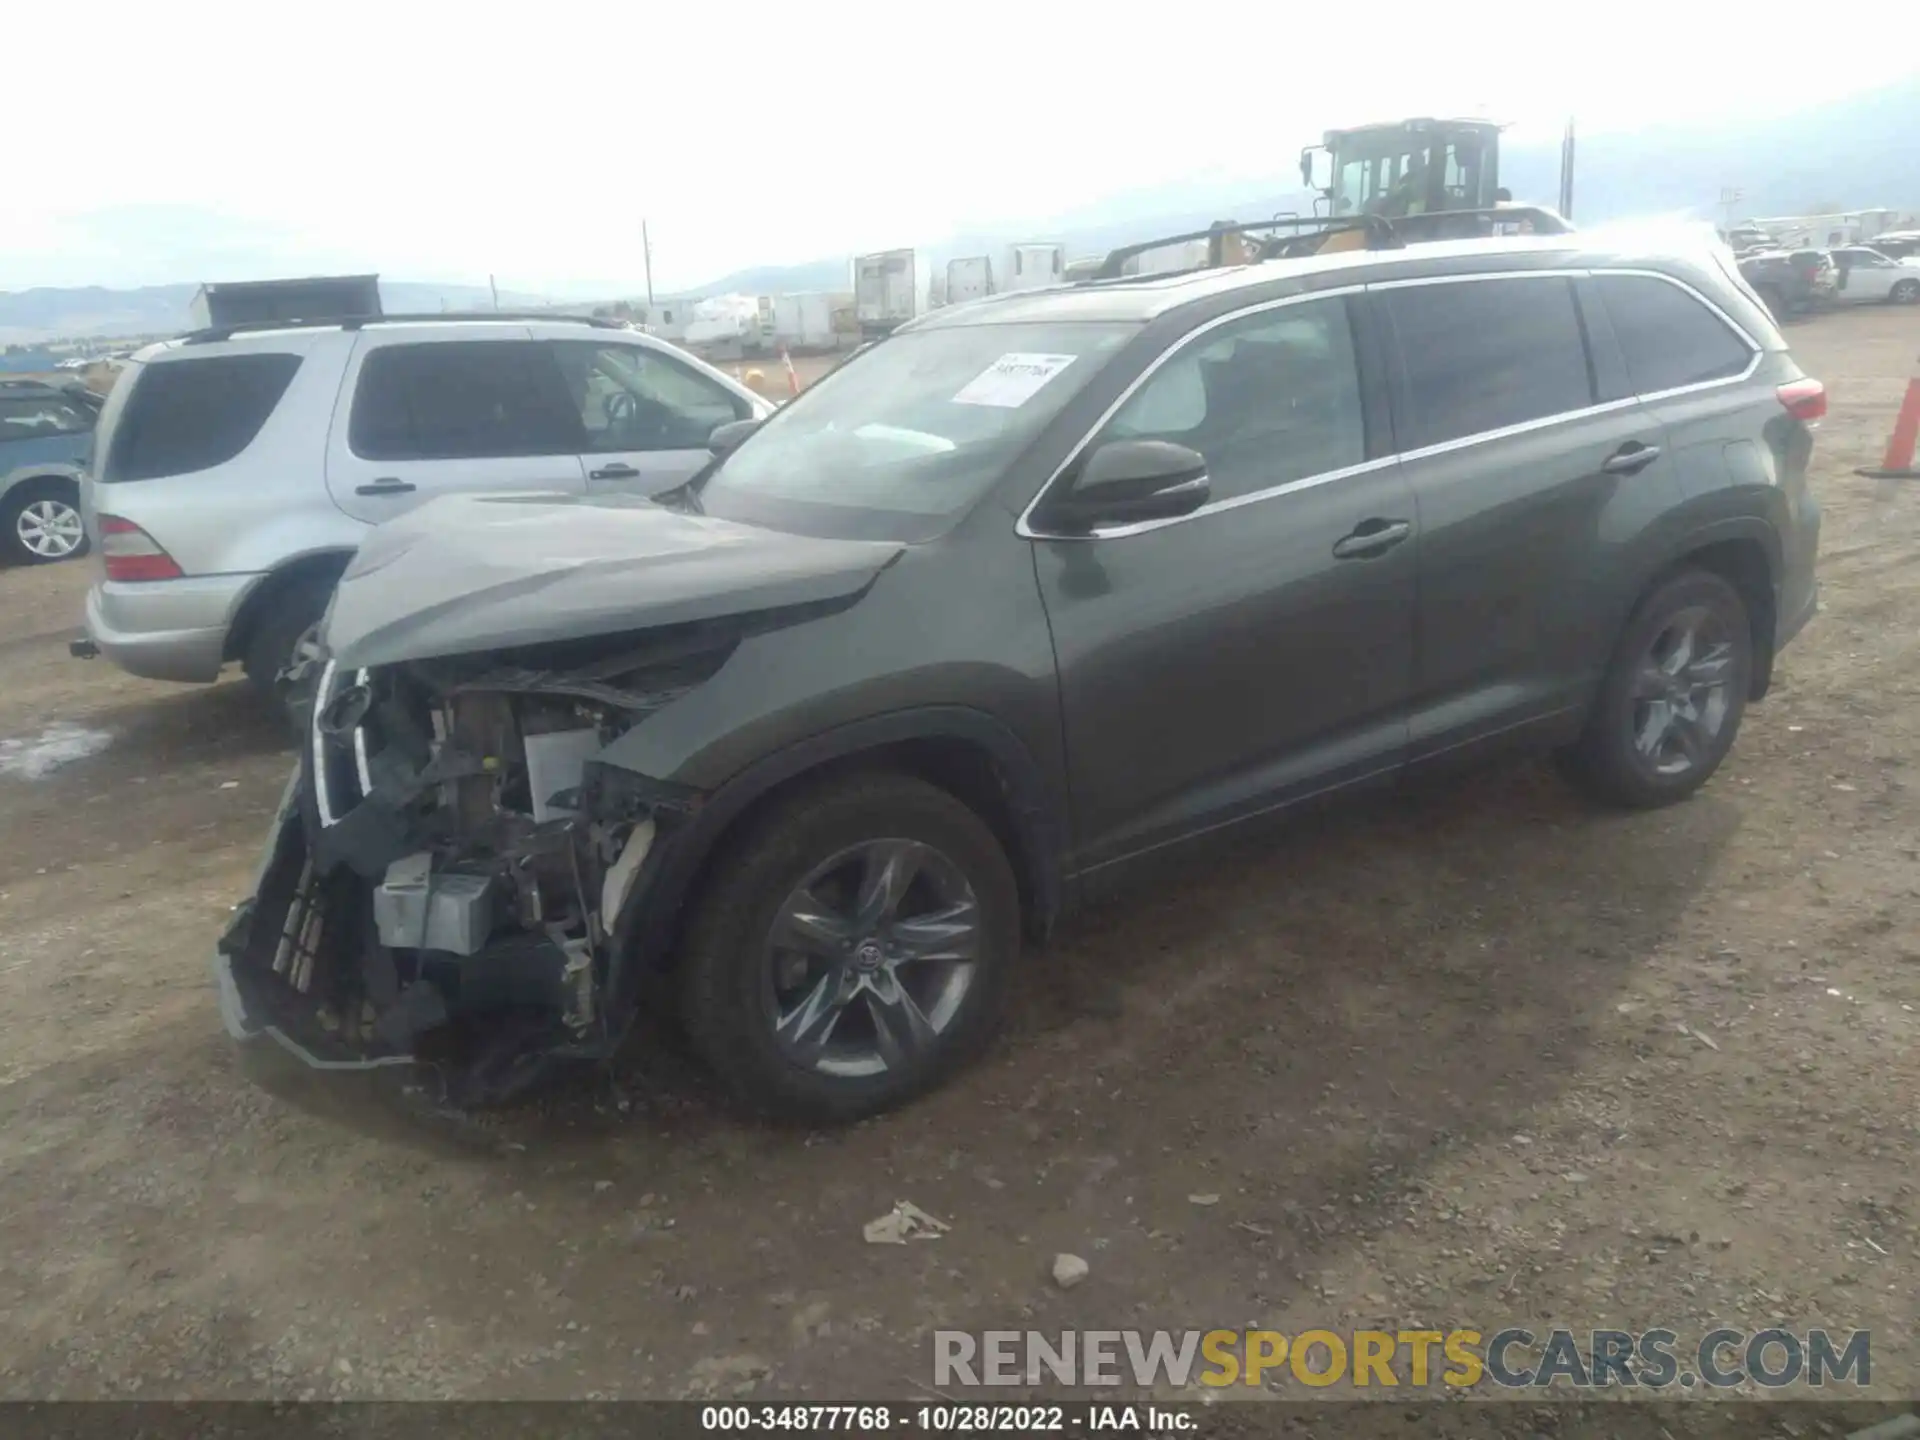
[{"x": 454, "y": 141}]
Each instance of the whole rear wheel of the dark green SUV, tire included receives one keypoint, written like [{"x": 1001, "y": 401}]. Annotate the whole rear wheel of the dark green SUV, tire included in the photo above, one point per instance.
[{"x": 1671, "y": 700}]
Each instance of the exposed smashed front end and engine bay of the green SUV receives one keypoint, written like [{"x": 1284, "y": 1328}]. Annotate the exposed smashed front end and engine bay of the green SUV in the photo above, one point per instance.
[{"x": 452, "y": 865}]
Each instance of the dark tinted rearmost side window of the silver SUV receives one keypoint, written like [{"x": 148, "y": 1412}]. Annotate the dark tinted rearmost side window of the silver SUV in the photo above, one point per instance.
[{"x": 195, "y": 414}]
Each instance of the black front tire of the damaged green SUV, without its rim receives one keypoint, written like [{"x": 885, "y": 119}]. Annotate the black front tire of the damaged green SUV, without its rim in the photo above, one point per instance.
[{"x": 727, "y": 996}]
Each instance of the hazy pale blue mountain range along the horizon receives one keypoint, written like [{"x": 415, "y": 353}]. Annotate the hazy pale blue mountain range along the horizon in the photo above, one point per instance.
[{"x": 1846, "y": 155}]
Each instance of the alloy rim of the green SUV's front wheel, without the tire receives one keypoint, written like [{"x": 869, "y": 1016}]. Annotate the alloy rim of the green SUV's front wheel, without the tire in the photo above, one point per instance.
[{"x": 871, "y": 959}]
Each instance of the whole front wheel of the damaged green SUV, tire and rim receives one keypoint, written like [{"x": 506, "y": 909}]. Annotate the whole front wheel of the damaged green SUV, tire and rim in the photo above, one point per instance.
[{"x": 853, "y": 949}]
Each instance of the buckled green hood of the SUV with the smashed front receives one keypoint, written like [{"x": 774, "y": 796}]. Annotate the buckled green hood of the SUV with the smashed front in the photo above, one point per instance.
[{"x": 477, "y": 573}]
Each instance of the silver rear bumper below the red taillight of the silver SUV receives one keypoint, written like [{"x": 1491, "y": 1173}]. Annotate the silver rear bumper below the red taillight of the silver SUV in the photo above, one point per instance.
[{"x": 168, "y": 629}]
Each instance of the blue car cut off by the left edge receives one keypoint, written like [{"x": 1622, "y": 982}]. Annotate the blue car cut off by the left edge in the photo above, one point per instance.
[{"x": 47, "y": 435}]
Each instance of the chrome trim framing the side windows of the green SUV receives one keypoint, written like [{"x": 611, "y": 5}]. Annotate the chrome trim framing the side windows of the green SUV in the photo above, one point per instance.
[{"x": 1024, "y": 525}]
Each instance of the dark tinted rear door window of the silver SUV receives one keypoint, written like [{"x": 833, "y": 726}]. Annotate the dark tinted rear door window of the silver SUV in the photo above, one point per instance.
[{"x": 460, "y": 400}]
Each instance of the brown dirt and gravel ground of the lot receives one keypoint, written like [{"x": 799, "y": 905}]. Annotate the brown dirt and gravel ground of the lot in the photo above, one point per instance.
[{"x": 1429, "y": 1055}]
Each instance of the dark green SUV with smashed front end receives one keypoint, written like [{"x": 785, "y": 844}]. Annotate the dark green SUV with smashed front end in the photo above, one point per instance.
[{"x": 1026, "y": 594}]
